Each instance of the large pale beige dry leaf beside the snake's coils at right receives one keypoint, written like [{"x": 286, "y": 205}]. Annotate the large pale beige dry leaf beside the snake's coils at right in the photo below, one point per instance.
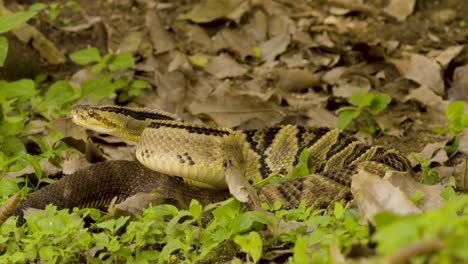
[{"x": 373, "y": 194}]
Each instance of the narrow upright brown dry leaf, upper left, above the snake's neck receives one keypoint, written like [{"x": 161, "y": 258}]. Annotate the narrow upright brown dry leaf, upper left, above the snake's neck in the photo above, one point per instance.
[{"x": 161, "y": 40}]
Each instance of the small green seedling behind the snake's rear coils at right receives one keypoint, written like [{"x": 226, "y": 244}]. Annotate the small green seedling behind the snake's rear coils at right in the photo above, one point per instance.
[{"x": 369, "y": 104}]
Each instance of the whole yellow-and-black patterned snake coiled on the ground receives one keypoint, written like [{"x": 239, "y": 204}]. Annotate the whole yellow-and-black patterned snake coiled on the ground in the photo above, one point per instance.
[{"x": 196, "y": 157}]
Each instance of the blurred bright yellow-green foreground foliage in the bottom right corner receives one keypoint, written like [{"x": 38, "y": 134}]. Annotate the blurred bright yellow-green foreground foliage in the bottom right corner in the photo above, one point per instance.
[{"x": 447, "y": 226}]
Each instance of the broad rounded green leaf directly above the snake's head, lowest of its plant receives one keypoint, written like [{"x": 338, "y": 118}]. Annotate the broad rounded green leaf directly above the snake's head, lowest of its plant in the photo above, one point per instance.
[{"x": 98, "y": 88}]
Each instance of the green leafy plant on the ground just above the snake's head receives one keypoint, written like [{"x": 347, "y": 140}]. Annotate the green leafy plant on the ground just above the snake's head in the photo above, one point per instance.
[{"x": 107, "y": 80}]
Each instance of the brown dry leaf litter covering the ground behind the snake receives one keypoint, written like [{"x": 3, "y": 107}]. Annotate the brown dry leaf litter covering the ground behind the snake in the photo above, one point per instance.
[{"x": 252, "y": 64}]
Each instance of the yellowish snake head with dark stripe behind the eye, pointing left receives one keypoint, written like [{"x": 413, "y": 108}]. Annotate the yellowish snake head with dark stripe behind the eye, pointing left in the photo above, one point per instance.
[{"x": 125, "y": 122}]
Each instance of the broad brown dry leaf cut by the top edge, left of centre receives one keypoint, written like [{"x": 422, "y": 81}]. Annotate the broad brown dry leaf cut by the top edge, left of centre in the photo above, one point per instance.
[{"x": 211, "y": 10}]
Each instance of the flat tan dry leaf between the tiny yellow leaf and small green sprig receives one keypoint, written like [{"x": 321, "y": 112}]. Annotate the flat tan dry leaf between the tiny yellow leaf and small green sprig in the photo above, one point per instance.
[{"x": 223, "y": 66}]
